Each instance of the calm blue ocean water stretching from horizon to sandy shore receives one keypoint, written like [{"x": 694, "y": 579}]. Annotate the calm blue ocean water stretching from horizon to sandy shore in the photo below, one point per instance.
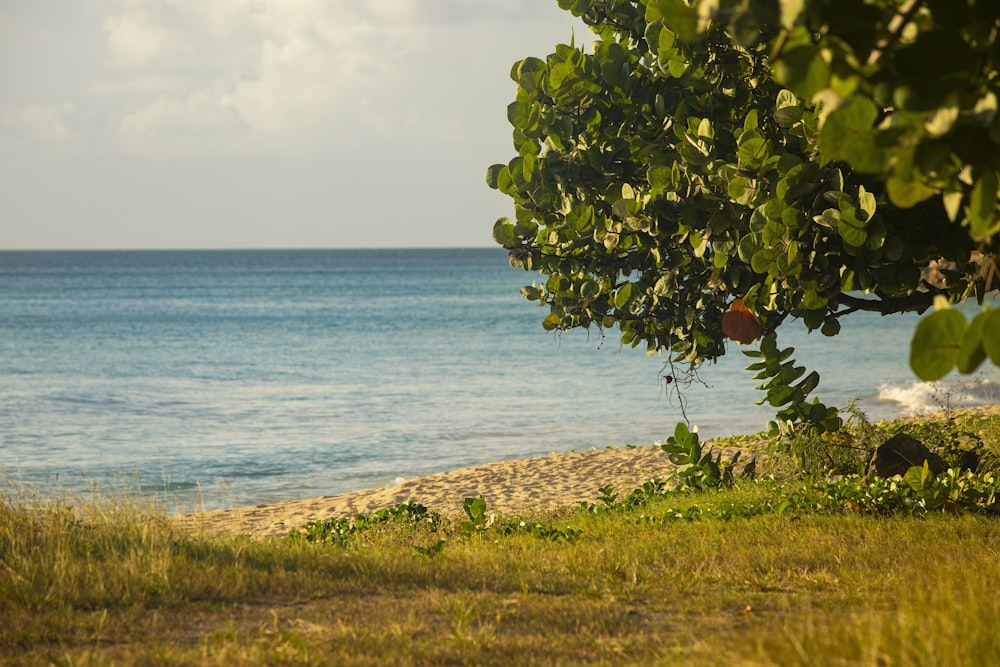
[{"x": 227, "y": 378}]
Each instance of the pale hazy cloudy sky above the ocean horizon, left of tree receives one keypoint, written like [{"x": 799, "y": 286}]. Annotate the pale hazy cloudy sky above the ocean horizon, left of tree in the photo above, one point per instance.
[{"x": 133, "y": 124}]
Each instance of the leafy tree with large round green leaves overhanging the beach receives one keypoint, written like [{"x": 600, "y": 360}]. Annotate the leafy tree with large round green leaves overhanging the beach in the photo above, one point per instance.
[{"x": 722, "y": 168}]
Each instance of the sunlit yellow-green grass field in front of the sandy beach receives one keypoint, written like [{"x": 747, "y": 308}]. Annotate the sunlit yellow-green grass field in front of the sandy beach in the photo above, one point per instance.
[{"x": 106, "y": 581}]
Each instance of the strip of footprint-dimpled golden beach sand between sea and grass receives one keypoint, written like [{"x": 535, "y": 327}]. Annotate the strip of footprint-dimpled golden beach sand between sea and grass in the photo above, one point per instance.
[{"x": 510, "y": 487}]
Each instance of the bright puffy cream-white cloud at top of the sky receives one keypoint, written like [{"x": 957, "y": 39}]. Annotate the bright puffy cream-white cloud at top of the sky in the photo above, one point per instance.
[{"x": 276, "y": 72}]
